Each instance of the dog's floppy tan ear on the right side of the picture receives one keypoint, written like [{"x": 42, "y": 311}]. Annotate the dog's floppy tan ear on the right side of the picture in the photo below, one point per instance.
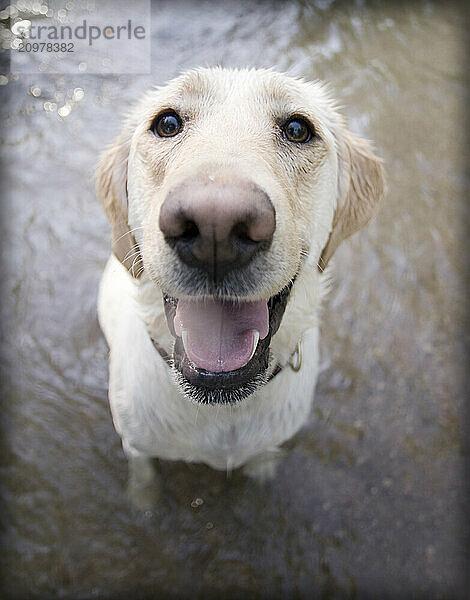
[{"x": 361, "y": 186}]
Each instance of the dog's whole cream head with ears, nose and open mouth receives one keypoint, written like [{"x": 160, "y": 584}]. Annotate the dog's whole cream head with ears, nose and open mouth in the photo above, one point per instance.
[{"x": 222, "y": 185}]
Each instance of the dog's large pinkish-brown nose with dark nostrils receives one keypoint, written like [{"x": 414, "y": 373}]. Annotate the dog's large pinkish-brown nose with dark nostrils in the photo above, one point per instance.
[{"x": 217, "y": 224}]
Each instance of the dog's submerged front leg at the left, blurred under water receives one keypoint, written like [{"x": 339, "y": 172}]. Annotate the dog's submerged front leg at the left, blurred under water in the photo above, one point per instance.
[{"x": 143, "y": 487}]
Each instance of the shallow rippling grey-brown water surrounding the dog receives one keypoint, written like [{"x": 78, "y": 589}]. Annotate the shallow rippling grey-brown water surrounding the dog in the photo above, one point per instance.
[{"x": 368, "y": 501}]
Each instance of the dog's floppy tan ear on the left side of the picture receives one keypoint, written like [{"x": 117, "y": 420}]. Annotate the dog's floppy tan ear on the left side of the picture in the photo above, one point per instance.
[{"x": 111, "y": 190}]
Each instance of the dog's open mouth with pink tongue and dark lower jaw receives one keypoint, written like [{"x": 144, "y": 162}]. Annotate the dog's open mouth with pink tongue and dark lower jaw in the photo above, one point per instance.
[{"x": 221, "y": 350}]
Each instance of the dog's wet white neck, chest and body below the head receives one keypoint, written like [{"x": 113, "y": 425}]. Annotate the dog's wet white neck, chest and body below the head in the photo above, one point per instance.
[{"x": 149, "y": 411}]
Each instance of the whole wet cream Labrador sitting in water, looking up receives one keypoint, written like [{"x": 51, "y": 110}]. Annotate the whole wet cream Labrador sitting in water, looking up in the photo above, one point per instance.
[{"x": 227, "y": 191}]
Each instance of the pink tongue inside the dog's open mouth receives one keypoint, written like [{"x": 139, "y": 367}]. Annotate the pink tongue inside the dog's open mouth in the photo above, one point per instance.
[{"x": 221, "y": 336}]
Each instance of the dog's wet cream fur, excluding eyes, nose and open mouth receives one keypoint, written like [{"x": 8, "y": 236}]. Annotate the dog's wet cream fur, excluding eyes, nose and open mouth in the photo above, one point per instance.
[{"x": 321, "y": 193}]
